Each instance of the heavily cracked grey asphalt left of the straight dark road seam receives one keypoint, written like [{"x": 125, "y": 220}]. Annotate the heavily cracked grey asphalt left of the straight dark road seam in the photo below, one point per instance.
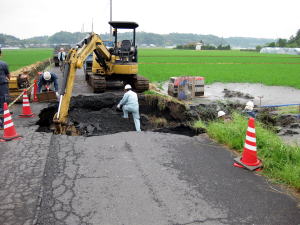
[{"x": 22, "y": 164}]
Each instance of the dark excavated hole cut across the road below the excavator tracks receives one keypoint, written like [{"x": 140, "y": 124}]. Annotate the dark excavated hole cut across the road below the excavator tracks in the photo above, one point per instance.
[{"x": 97, "y": 115}]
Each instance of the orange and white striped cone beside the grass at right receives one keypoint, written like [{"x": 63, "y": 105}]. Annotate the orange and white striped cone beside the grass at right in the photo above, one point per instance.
[{"x": 249, "y": 158}]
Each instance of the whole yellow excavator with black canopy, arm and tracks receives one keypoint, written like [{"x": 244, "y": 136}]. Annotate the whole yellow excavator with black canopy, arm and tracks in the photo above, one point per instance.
[{"x": 116, "y": 64}]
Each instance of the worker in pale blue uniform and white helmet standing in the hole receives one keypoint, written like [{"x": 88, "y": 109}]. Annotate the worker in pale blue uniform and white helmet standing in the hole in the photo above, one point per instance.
[{"x": 129, "y": 103}]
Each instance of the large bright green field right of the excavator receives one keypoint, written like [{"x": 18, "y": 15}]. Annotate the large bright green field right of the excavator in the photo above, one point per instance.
[{"x": 221, "y": 66}]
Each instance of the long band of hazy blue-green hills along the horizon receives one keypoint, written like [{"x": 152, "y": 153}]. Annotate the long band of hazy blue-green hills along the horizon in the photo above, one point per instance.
[{"x": 143, "y": 39}]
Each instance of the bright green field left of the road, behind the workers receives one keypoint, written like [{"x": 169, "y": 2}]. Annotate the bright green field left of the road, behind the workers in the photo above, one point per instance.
[{"x": 18, "y": 58}]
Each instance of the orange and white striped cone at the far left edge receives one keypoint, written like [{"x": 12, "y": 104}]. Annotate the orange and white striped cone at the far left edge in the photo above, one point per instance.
[{"x": 9, "y": 127}]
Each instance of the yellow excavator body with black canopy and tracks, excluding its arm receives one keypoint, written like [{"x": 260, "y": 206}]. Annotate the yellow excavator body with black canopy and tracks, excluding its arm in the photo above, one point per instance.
[{"x": 122, "y": 63}]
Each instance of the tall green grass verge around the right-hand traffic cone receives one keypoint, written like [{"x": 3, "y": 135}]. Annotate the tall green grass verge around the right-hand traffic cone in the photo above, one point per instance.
[{"x": 281, "y": 161}]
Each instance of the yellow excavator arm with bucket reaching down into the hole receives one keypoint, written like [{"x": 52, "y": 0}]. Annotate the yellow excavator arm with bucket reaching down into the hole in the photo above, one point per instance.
[{"x": 75, "y": 60}]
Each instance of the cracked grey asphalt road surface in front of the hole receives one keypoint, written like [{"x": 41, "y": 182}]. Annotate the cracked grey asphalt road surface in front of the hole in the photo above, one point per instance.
[{"x": 131, "y": 178}]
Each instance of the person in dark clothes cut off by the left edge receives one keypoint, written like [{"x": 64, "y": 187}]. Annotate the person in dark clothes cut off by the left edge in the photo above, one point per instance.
[{"x": 4, "y": 78}]
